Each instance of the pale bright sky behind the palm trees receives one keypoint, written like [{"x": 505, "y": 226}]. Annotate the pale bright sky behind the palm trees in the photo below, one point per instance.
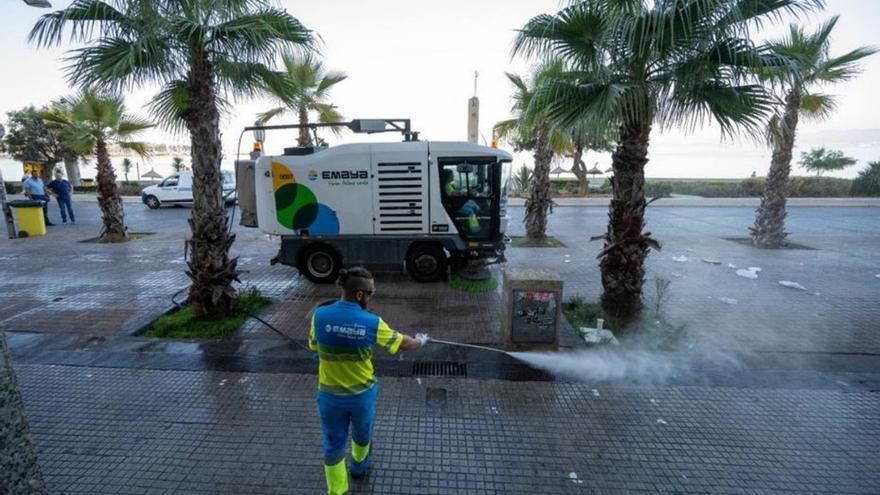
[{"x": 416, "y": 59}]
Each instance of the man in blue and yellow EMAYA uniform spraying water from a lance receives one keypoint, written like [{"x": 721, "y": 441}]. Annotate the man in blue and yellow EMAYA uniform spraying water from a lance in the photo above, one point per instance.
[{"x": 343, "y": 334}]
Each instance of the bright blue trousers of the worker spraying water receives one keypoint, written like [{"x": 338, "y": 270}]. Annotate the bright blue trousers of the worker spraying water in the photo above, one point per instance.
[{"x": 337, "y": 412}]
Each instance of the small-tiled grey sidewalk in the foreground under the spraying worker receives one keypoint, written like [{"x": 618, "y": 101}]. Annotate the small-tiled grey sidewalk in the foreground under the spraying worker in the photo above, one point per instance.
[{"x": 102, "y": 430}]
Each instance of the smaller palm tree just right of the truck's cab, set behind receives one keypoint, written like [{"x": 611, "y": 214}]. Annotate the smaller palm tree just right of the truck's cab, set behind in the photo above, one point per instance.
[{"x": 531, "y": 129}]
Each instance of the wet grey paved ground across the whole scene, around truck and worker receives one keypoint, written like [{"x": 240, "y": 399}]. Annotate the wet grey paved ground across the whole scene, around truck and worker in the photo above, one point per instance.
[{"x": 780, "y": 391}]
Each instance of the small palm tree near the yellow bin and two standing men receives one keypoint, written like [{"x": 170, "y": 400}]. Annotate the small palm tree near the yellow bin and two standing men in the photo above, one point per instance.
[{"x": 92, "y": 121}]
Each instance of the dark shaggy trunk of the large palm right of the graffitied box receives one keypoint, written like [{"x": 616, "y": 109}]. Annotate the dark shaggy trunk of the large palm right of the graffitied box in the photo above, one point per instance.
[{"x": 623, "y": 258}]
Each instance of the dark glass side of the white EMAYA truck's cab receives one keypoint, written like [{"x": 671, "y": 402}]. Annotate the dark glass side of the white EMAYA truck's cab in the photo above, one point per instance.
[{"x": 467, "y": 187}]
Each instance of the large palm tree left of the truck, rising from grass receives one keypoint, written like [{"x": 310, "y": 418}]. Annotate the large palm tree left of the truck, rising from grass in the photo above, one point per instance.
[{"x": 203, "y": 52}]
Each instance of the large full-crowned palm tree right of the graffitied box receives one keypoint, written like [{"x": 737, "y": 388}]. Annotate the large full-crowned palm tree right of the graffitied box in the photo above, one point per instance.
[{"x": 633, "y": 65}]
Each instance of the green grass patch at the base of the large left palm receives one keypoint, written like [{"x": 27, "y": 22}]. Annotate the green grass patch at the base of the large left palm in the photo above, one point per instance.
[{"x": 184, "y": 324}]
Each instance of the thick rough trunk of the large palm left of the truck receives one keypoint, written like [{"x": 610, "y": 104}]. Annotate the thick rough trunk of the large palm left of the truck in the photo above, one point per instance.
[{"x": 210, "y": 268}]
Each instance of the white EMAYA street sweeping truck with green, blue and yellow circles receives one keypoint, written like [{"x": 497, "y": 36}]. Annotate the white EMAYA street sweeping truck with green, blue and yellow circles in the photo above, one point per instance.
[{"x": 428, "y": 207}]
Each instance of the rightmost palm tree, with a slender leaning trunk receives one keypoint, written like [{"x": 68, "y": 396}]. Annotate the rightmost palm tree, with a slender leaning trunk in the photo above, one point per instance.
[{"x": 809, "y": 66}]
